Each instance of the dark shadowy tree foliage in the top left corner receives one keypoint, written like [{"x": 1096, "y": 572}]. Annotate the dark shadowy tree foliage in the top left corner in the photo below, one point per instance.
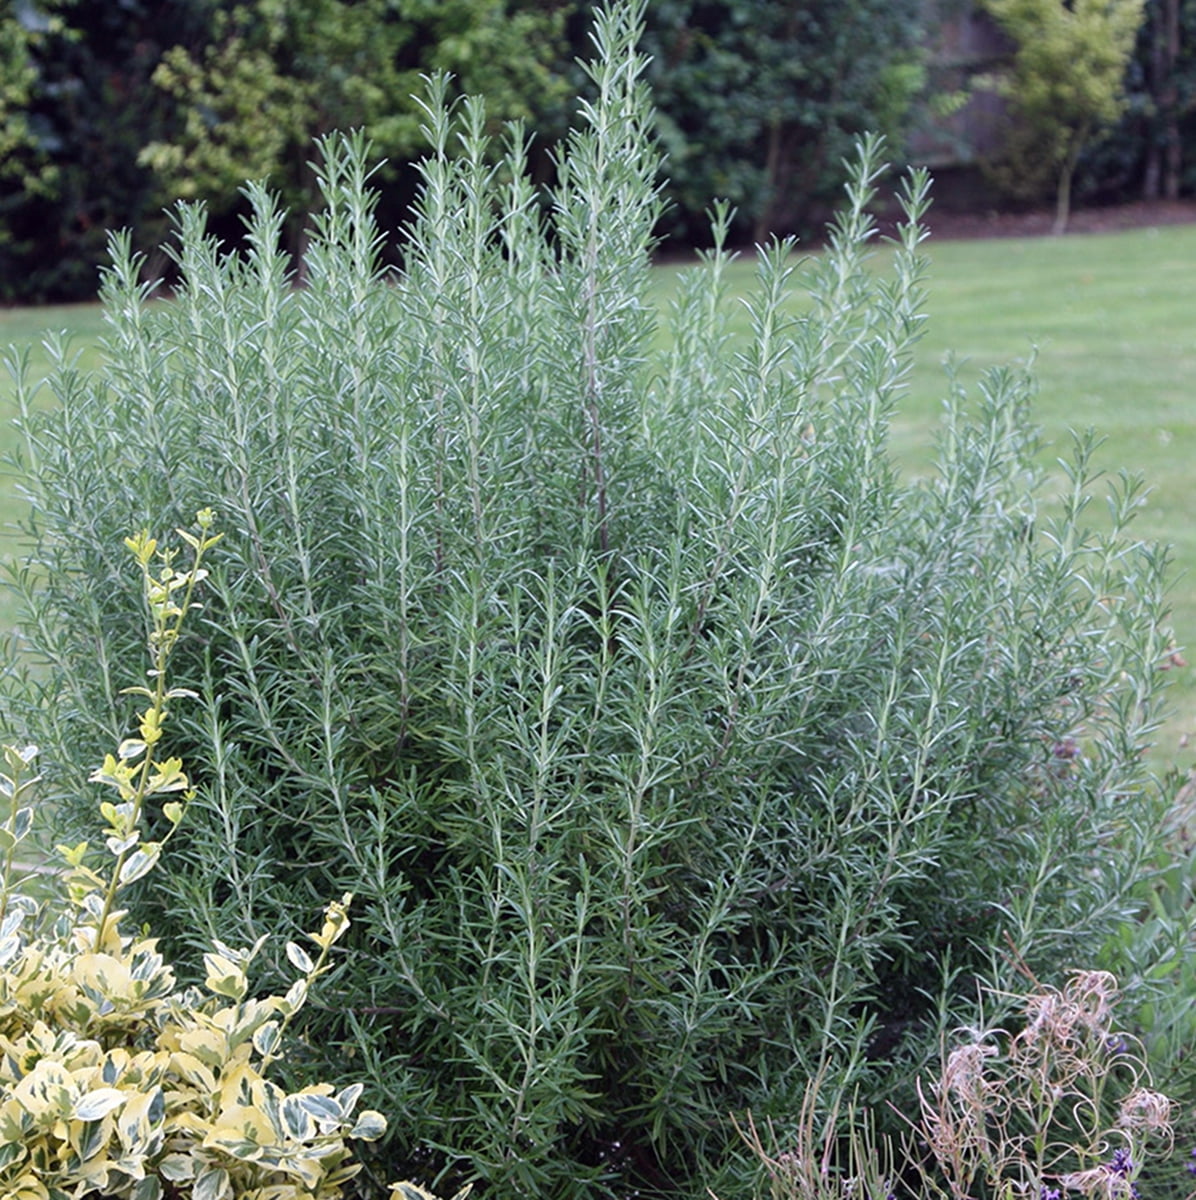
[{"x": 77, "y": 106}]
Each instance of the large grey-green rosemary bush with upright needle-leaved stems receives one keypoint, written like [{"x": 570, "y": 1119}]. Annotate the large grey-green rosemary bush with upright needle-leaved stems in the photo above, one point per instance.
[{"x": 676, "y": 751}]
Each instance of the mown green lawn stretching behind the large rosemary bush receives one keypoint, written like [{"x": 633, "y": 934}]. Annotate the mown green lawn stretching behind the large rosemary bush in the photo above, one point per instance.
[{"x": 1114, "y": 317}]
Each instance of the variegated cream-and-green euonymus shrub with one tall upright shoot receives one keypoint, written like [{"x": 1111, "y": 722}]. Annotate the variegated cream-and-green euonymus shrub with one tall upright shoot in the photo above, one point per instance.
[{"x": 113, "y": 1082}]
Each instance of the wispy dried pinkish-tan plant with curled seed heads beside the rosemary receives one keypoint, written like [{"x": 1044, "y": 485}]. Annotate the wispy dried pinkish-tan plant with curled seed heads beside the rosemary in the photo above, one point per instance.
[{"x": 1057, "y": 1103}]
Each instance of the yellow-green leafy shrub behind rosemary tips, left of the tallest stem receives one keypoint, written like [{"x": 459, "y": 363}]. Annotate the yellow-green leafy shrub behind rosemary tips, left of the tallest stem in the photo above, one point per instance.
[{"x": 274, "y": 77}]
